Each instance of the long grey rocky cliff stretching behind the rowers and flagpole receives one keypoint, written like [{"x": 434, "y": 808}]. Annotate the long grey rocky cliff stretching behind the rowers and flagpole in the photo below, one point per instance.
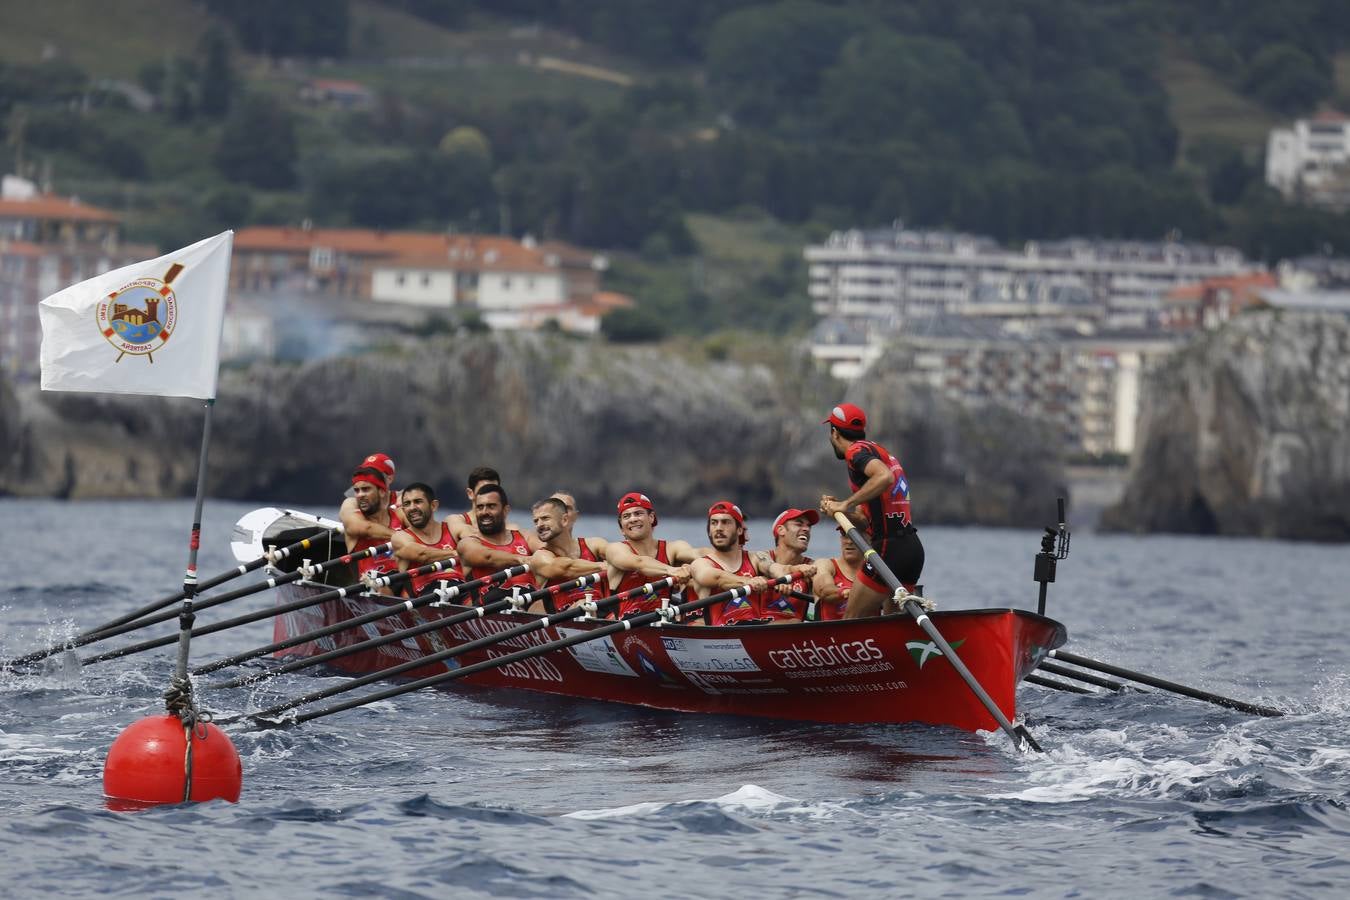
[{"x": 550, "y": 414}]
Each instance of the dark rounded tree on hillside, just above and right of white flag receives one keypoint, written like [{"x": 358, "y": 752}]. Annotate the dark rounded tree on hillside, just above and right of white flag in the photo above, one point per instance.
[{"x": 259, "y": 145}]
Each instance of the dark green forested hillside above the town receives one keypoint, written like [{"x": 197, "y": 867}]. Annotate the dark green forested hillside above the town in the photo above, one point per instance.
[{"x": 614, "y": 123}]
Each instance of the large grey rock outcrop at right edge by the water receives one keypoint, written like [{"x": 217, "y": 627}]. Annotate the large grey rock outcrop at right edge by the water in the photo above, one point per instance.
[{"x": 1248, "y": 432}]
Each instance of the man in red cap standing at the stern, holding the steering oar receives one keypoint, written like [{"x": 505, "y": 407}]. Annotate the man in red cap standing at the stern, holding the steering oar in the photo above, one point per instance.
[{"x": 881, "y": 504}]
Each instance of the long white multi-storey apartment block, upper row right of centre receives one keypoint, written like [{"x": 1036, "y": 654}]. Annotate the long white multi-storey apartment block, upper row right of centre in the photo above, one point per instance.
[{"x": 897, "y": 273}]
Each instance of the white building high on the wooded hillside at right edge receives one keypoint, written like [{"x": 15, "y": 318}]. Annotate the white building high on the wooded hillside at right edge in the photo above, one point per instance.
[{"x": 1312, "y": 161}]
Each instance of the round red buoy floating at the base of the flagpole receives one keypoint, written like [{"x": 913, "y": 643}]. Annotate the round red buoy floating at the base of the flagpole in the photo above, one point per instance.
[{"x": 146, "y": 764}]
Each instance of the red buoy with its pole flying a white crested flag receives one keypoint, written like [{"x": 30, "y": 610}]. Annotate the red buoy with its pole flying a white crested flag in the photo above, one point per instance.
[{"x": 87, "y": 333}]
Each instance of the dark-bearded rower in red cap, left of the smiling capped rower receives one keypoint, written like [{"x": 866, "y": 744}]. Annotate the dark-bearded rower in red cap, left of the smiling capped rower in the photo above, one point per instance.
[{"x": 728, "y": 566}]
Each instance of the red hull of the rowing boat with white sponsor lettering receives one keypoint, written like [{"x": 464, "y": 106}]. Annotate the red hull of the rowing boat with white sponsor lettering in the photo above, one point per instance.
[{"x": 859, "y": 671}]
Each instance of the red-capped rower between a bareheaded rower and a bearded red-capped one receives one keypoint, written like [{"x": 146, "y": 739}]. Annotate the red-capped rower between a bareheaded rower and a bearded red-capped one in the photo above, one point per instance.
[{"x": 639, "y": 558}]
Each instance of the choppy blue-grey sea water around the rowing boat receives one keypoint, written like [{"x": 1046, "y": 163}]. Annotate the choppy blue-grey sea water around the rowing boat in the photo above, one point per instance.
[{"x": 472, "y": 791}]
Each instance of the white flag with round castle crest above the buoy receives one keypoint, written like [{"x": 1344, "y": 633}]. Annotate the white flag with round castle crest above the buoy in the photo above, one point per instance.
[{"x": 146, "y": 329}]
